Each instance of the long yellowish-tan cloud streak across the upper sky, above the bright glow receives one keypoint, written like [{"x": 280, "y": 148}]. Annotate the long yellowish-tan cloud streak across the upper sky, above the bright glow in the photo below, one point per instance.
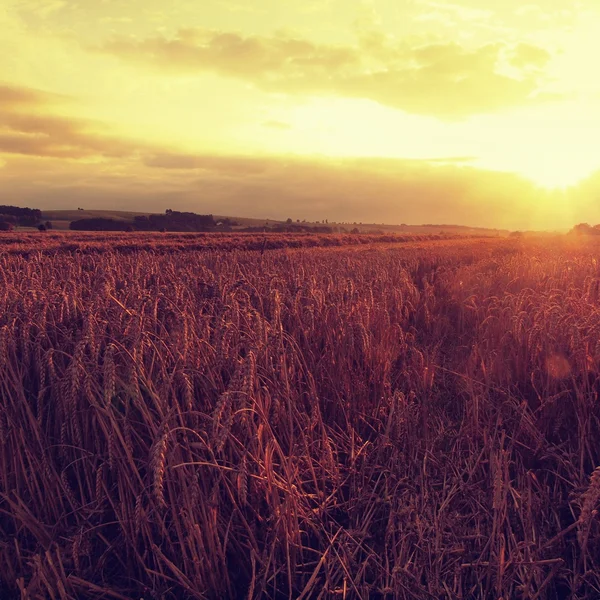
[{"x": 446, "y": 79}]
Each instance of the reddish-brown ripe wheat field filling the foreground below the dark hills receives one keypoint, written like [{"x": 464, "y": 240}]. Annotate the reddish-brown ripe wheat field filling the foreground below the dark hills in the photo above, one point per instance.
[{"x": 413, "y": 420}]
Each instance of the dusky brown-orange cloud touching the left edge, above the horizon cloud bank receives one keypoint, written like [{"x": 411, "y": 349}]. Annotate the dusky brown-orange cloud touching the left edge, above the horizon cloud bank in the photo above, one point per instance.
[{"x": 27, "y": 127}]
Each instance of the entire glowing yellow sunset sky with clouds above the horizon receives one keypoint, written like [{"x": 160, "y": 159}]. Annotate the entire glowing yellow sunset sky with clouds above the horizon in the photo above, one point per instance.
[{"x": 476, "y": 112}]
